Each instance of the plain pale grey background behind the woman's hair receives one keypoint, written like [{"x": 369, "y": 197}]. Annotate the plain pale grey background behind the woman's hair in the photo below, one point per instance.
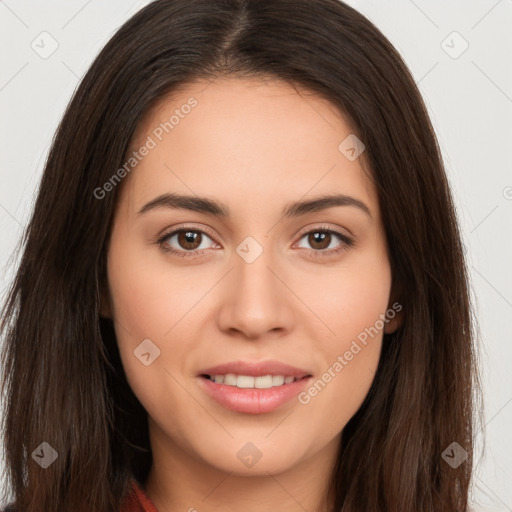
[{"x": 469, "y": 97}]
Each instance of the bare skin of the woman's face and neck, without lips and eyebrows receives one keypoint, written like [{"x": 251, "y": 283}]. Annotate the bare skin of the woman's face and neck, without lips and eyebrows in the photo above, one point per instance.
[{"x": 256, "y": 146}]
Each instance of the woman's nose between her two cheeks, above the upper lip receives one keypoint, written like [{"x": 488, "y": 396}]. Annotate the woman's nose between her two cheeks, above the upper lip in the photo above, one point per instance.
[{"x": 255, "y": 299}]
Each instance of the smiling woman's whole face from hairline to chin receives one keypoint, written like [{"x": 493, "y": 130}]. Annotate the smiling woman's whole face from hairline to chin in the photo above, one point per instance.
[{"x": 254, "y": 289}]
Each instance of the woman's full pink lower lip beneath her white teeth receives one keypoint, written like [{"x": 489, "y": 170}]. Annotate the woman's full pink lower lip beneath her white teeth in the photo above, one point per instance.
[{"x": 252, "y": 400}]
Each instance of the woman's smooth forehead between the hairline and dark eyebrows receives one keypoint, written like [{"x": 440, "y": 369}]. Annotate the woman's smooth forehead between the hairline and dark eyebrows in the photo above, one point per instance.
[{"x": 242, "y": 141}]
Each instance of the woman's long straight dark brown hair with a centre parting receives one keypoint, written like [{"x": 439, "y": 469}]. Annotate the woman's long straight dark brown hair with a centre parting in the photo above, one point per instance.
[{"x": 63, "y": 380}]
